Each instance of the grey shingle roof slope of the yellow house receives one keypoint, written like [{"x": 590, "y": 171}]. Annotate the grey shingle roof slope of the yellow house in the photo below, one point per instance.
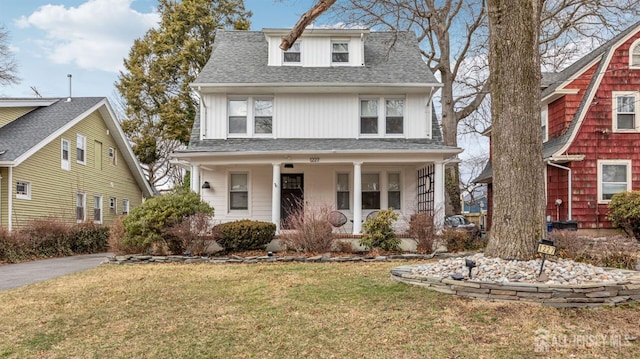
[{"x": 24, "y": 133}]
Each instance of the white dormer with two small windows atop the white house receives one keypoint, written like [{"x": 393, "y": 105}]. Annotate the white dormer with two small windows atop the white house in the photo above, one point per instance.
[{"x": 318, "y": 48}]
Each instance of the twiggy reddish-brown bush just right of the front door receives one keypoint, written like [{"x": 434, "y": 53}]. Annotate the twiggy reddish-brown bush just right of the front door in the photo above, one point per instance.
[{"x": 312, "y": 231}]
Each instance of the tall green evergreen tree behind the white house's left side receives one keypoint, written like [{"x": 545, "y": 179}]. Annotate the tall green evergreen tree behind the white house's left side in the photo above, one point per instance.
[{"x": 159, "y": 105}]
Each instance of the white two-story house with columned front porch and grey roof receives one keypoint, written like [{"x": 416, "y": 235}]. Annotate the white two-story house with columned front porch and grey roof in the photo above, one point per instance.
[{"x": 342, "y": 119}]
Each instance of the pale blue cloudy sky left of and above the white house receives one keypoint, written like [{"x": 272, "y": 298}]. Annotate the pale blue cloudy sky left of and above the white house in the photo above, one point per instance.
[{"x": 89, "y": 39}]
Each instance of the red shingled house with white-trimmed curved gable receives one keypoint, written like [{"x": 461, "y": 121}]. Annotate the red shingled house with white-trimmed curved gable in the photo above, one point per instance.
[{"x": 591, "y": 131}]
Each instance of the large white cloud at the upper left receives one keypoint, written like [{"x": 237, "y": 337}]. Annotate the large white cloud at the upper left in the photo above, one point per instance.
[{"x": 95, "y": 35}]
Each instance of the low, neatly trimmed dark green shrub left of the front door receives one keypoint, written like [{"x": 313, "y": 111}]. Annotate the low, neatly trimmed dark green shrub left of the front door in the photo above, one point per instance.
[{"x": 244, "y": 235}]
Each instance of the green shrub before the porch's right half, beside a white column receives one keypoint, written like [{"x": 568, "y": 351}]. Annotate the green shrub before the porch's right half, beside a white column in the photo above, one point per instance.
[{"x": 379, "y": 231}]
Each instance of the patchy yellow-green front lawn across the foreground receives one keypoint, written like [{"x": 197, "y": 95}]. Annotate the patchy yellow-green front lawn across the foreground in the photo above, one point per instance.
[{"x": 341, "y": 310}]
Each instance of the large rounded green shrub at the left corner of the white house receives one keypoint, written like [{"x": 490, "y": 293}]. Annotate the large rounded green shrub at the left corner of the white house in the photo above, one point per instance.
[{"x": 148, "y": 224}]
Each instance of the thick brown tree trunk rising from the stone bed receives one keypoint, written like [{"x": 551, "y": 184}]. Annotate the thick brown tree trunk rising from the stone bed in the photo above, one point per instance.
[{"x": 516, "y": 140}]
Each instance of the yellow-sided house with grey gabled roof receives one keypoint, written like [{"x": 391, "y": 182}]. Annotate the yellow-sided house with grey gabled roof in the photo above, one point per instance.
[{"x": 67, "y": 158}]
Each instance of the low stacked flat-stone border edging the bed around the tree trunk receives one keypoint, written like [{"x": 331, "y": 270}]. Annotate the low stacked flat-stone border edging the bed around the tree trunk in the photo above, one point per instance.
[{"x": 595, "y": 294}]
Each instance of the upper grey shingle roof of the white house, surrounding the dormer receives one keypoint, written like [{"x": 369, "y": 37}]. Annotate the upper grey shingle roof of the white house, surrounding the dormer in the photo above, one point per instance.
[{"x": 241, "y": 57}]
